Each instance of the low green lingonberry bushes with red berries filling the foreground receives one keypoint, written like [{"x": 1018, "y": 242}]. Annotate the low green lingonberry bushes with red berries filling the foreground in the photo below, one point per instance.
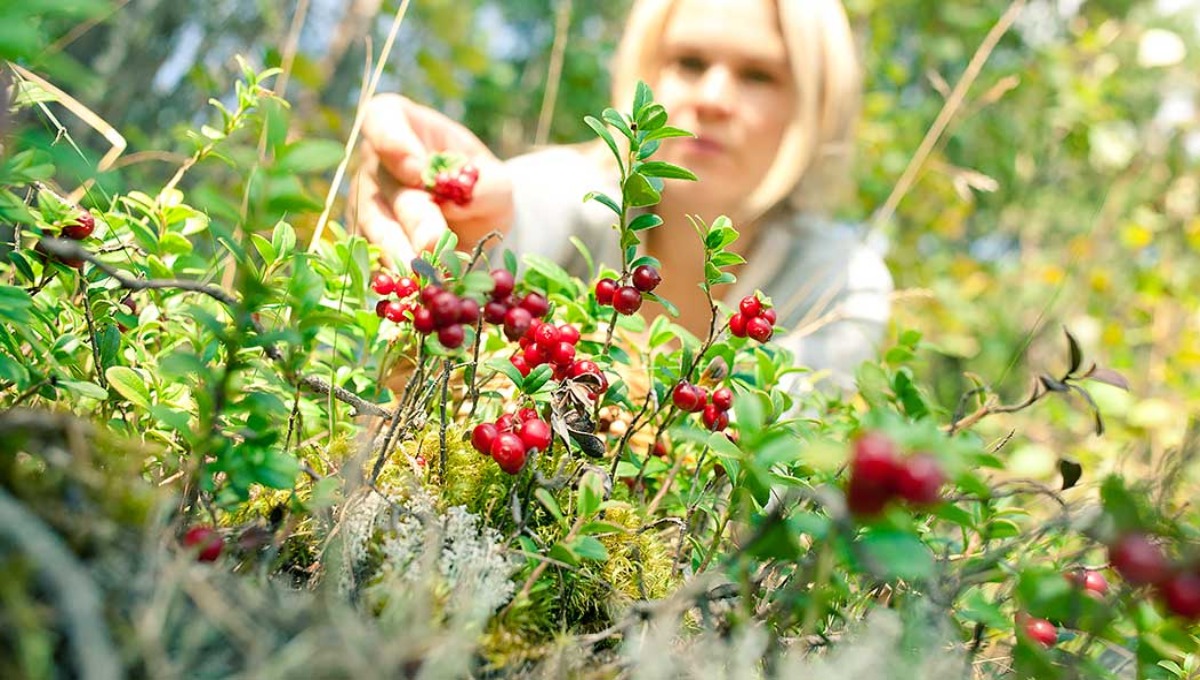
[{"x": 489, "y": 446}]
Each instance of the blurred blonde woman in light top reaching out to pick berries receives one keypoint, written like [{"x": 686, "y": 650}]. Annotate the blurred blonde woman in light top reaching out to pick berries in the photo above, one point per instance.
[{"x": 771, "y": 89}]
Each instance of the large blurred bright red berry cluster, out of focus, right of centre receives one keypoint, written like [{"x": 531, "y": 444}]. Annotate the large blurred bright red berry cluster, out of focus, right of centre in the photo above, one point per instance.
[{"x": 878, "y": 476}]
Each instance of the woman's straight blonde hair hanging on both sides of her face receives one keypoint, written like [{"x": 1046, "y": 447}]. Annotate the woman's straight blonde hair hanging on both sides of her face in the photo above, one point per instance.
[{"x": 814, "y": 157}]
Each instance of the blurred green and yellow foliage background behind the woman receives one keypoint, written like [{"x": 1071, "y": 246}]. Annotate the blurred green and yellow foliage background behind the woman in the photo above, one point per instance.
[{"x": 1063, "y": 194}]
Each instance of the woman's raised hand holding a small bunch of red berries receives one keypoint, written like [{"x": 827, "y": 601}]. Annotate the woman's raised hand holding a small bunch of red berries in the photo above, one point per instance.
[{"x": 394, "y": 209}]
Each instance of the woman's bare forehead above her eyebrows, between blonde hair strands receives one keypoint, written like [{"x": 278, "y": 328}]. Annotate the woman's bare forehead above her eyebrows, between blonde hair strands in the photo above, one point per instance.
[{"x": 747, "y": 28}]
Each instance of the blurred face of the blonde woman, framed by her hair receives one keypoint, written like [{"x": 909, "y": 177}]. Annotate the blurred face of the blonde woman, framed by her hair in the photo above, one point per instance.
[{"x": 725, "y": 77}]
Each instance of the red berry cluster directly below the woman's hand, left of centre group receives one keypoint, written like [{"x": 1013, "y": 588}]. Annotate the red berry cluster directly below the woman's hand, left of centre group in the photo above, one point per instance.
[{"x": 435, "y": 310}]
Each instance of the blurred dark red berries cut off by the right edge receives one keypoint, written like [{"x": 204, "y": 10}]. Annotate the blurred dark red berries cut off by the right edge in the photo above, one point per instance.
[{"x": 1142, "y": 562}]
